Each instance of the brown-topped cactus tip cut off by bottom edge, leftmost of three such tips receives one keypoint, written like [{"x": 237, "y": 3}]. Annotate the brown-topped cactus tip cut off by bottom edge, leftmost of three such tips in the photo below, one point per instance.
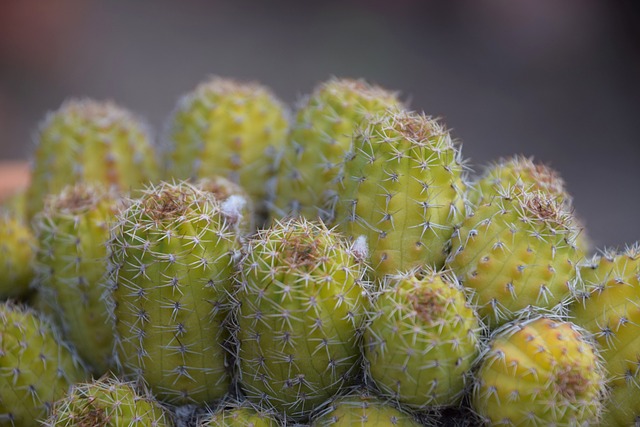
[{"x": 107, "y": 402}]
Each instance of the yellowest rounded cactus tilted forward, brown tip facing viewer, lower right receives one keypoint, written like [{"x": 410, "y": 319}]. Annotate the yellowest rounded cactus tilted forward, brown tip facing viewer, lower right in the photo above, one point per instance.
[{"x": 540, "y": 372}]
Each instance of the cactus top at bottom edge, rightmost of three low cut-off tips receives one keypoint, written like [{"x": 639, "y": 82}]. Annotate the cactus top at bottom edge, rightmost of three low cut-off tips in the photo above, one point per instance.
[{"x": 363, "y": 410}]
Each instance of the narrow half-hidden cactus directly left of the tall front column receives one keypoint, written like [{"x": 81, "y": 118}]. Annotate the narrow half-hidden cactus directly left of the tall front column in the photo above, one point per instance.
[{"x": 72, "y": 231}]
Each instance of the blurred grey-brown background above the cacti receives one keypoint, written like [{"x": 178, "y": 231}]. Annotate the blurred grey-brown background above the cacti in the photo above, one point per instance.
[{"x": 557, "y": 80}]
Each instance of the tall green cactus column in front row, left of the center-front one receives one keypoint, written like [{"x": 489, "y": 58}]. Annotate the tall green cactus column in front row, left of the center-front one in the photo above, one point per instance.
[{"x": 173, "y": 259}]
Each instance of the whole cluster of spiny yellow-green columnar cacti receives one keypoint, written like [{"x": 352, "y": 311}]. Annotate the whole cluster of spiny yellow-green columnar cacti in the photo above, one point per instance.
[{"x": 339, "y": 267}]
